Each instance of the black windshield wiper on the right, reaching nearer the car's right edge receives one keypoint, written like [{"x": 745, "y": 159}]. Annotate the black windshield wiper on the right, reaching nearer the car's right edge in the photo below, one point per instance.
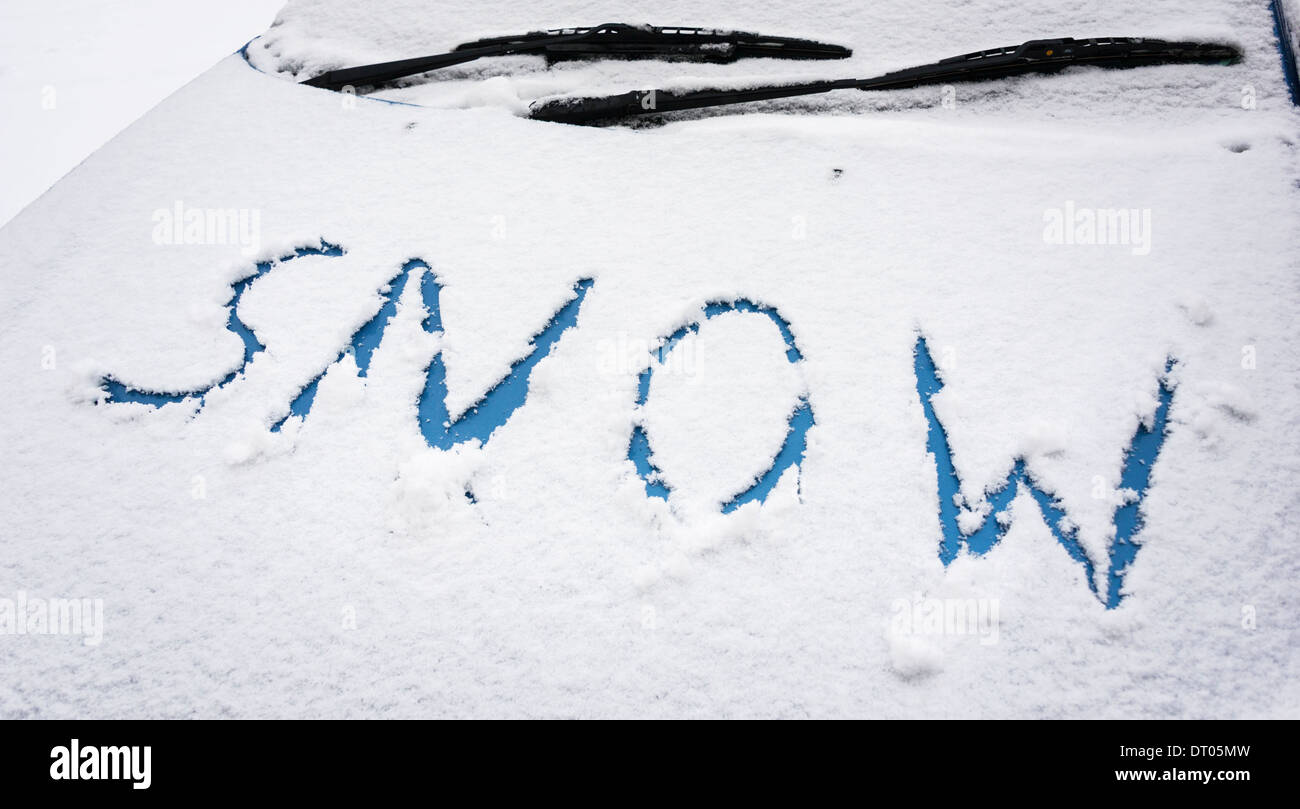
[{"x": 1034, "y": 57}]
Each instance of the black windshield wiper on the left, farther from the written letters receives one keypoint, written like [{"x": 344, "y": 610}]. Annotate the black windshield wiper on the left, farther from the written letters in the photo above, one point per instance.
[{"x": 609, "y": 41}]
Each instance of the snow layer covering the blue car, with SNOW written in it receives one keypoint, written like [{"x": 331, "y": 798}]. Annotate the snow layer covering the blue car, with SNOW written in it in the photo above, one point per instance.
[{"x": 339, "y": 569}]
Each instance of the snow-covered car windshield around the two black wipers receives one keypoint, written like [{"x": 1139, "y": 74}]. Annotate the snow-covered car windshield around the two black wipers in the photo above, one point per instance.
[{"x": 855, "y": 45}]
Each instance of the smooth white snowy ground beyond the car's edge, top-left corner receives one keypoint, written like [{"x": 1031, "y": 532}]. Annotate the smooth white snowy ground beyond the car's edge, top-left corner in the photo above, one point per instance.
[{"x": 75, "y": 73}]
